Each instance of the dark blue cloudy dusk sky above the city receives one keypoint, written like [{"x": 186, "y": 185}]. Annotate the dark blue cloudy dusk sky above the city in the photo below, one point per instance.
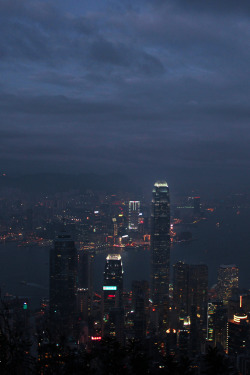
[{"x": 147, "y": 88}]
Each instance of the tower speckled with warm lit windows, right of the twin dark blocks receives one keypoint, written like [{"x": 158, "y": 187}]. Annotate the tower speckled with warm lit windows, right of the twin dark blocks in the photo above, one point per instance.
[{"x": 228, "y": 281}]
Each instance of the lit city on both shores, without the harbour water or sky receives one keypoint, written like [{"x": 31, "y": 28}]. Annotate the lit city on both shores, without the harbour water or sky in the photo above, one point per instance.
[{"x": 172, "y": 322}]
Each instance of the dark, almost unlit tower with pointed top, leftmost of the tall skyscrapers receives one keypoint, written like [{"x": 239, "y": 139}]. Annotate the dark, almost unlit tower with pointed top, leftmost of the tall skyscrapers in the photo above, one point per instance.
[{"x": 63, "y": 280}]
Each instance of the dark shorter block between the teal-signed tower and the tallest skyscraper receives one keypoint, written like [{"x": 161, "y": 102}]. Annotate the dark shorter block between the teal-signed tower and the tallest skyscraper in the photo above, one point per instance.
[{"x": 140, "y": 305}]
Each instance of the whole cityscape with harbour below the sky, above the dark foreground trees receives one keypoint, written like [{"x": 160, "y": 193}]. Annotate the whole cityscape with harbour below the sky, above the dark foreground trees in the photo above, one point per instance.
[{"x": 136, "y": 300}]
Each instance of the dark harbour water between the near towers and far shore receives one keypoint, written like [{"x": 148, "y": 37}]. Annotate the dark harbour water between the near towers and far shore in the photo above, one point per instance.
[{"x": 24, "y": 271}]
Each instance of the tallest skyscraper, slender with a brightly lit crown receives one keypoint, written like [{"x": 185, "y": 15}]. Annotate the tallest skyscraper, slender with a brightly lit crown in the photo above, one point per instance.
[{"x": 160, "y": 255}]
